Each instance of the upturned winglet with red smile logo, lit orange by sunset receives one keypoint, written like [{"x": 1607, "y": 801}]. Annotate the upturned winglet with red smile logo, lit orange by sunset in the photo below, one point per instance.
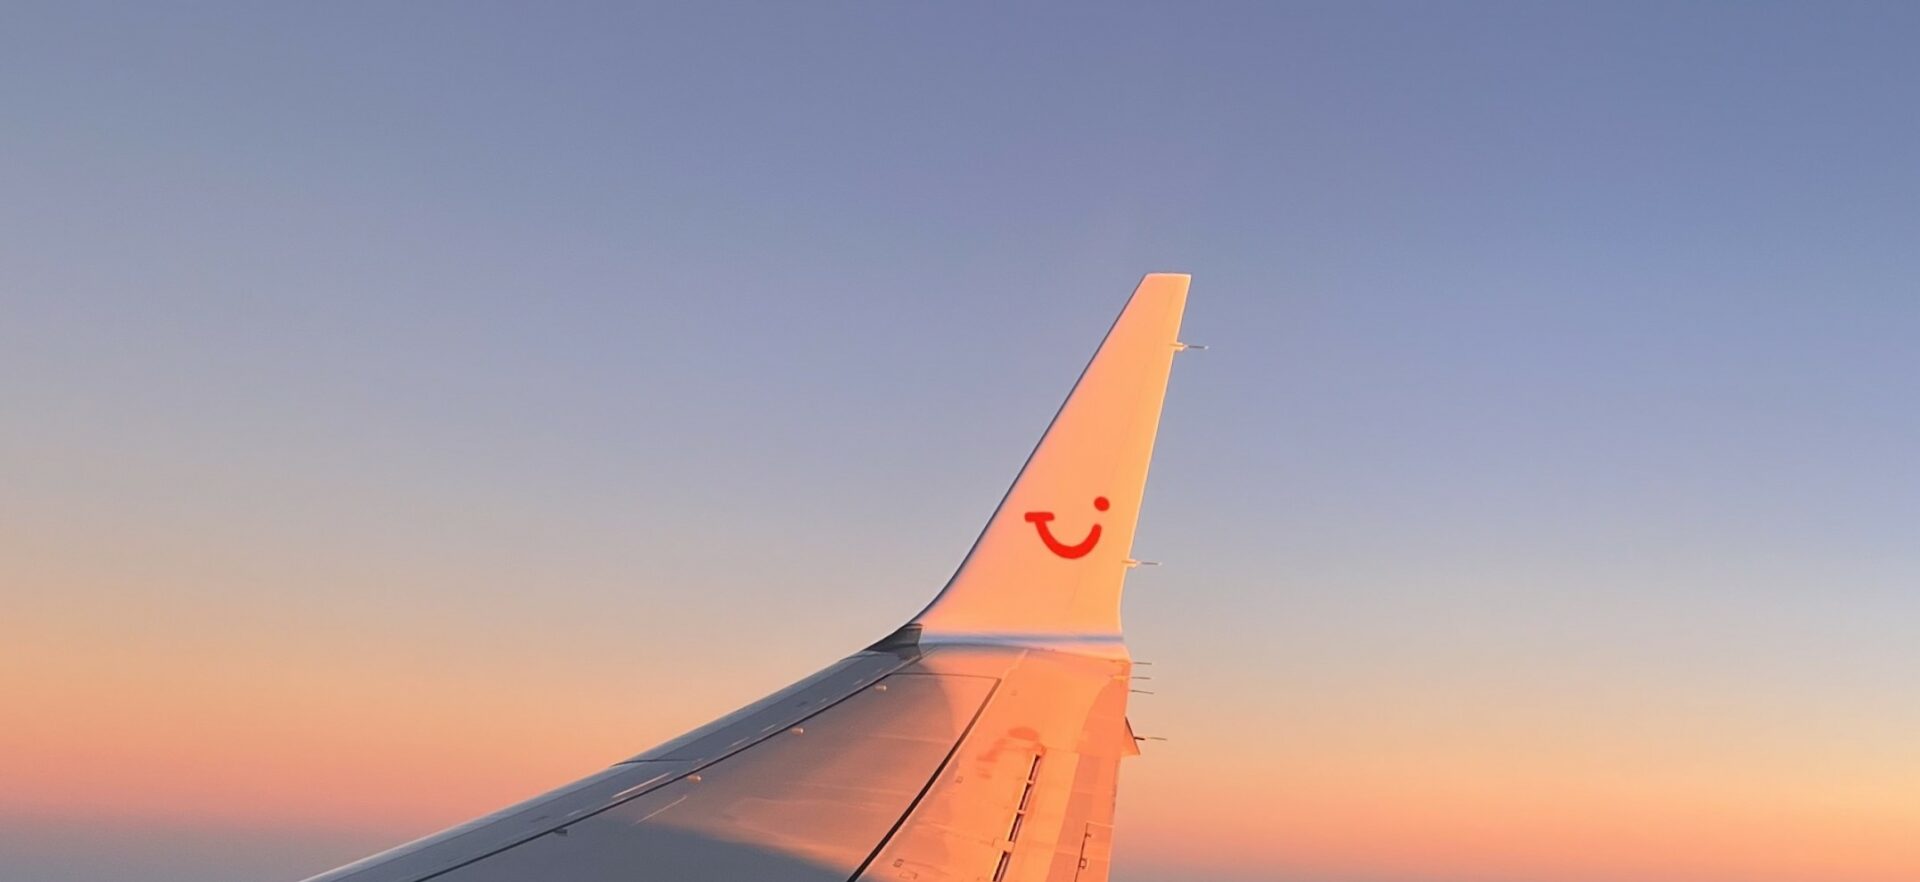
[{"x": 1051, "y": 562}]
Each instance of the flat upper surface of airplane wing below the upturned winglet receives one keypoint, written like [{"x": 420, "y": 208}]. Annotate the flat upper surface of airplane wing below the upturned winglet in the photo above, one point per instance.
[{"x": 951, "y": 764}]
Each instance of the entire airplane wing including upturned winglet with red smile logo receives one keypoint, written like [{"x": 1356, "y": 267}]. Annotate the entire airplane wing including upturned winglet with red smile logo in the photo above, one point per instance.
[{"x": 978, "y": 743}]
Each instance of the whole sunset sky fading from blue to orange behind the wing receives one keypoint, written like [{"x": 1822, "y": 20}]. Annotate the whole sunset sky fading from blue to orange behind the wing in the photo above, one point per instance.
[{"x": 406, "y": 408}]
